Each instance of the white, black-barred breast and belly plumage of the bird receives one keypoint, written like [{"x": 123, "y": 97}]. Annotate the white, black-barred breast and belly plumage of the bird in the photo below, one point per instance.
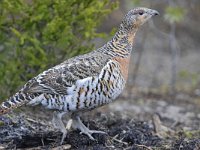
[{"x": 96, "y": 91}]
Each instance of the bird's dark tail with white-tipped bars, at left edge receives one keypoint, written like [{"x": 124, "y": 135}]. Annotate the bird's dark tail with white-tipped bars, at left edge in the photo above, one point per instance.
[{"x": 13, "y": 102}]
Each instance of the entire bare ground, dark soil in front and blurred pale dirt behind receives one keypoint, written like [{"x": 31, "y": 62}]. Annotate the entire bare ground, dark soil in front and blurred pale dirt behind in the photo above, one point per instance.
[{"x": 146, "y": 121}]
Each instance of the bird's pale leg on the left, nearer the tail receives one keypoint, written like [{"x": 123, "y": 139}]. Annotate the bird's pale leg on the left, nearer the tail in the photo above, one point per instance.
[{"x": 57, "y": 123}]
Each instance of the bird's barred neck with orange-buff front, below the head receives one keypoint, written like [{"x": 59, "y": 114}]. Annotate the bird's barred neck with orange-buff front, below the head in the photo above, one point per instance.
[{"x": 121, "y": 44}]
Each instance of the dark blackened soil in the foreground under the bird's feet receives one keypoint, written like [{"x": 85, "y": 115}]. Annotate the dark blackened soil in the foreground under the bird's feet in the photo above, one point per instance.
[{"x": 122, "y": 133}]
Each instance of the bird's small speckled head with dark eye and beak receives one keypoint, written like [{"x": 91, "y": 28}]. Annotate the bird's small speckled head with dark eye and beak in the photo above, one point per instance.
[{"x": 138, "y": 16}]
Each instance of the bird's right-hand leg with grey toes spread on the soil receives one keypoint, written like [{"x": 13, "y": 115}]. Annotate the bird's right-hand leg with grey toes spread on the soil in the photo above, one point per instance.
[{"x": 77, "y": 124}]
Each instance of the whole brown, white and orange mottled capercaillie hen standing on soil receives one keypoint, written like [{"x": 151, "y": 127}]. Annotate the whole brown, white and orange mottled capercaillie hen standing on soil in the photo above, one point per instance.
[{"x": 83, "y": 82}]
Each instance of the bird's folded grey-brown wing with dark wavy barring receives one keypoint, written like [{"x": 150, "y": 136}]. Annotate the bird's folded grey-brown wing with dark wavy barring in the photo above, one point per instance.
[{"x": 59, "y": 78}]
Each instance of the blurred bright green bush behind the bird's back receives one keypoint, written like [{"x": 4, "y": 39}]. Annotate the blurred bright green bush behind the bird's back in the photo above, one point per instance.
[{"x": 35, "y": 35}]
